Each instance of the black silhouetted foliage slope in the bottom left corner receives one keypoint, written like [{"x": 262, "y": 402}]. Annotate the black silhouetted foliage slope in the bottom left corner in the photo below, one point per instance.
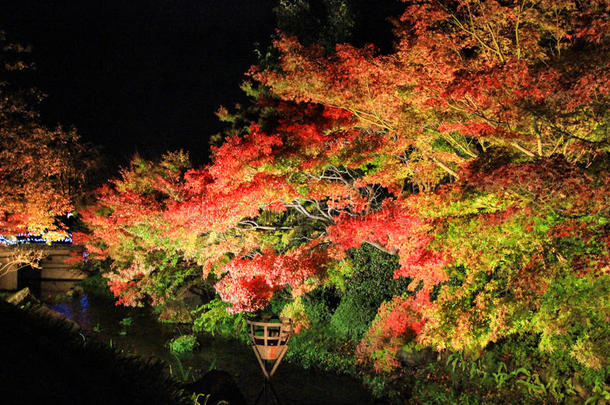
[{"x": 45, "y": 361}]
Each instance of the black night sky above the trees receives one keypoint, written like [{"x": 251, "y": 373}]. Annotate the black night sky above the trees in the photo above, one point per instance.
[{"x": 140, "y": 75}]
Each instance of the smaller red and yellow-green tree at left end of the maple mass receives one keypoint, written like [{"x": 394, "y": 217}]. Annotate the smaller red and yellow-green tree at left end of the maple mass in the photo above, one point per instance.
[{"x": 127, "y": 224}]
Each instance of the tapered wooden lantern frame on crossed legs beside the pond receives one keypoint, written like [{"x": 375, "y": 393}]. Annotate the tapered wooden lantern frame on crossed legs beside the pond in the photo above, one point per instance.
[{"x": 270, "y": 343}]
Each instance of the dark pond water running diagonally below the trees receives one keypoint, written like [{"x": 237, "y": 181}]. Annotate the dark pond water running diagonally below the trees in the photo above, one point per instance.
[{"x": 103, "y": 321}]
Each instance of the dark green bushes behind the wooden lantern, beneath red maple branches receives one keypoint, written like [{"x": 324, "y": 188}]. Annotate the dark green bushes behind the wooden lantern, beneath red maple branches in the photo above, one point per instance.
[{"x": 337, "y": 314}]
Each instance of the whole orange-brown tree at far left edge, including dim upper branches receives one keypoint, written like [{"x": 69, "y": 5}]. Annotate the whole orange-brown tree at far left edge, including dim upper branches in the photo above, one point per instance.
[{"x": 42, "y": 169}]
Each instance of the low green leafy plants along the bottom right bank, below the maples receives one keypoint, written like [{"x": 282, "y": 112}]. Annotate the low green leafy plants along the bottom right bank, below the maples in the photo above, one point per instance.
[{"x": 512, "y": 371}]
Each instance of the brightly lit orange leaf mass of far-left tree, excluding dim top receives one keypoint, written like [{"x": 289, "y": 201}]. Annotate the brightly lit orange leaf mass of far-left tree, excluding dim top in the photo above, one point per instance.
[{"x": 40, "y": 171}]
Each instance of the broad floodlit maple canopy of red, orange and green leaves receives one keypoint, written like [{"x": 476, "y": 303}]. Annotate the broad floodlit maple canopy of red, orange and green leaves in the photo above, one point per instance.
[{"x": 476, "y": 152}]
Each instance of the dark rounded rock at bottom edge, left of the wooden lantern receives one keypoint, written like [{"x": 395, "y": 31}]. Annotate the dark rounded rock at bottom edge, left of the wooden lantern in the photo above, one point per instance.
[{"x": 220, "y": 385}]
